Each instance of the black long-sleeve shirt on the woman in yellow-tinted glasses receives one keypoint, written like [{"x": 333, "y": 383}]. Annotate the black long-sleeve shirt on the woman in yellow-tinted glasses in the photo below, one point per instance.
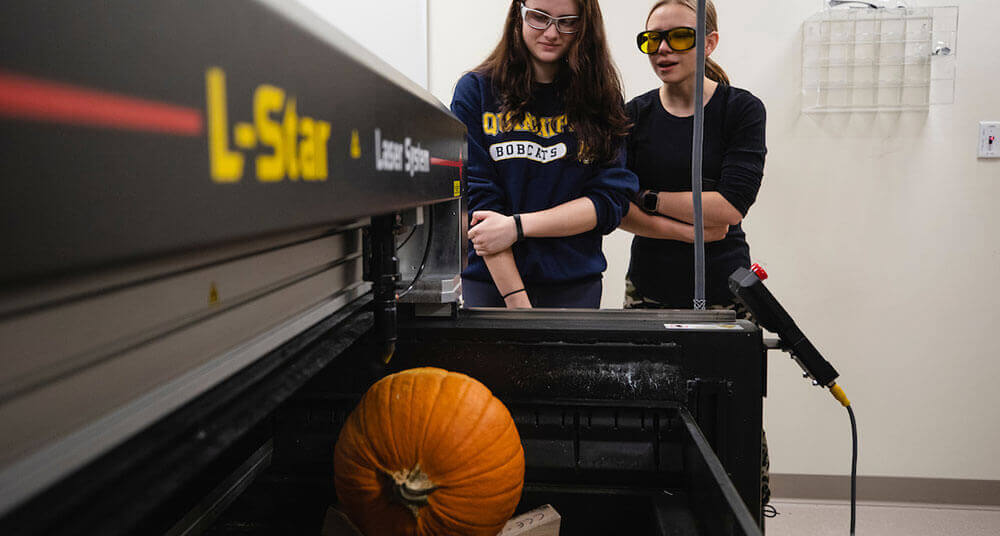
[{"x": 659, "y": 152}]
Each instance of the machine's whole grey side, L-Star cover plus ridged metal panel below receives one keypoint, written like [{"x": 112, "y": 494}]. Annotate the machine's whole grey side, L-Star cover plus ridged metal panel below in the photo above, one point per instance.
[{"x": 185, "y": 187}]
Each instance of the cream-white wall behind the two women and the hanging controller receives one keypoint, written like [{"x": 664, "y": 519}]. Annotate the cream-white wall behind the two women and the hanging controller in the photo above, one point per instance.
[{"x": 877, "y": 229}]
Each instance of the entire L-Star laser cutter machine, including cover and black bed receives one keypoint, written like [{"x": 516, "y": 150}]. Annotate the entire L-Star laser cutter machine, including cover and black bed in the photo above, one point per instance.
[{"x": 224, "y": 220}]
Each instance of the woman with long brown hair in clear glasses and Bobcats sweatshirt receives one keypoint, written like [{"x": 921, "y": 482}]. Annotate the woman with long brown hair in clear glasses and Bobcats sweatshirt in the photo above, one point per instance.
[{"x": 546, "y": 174}]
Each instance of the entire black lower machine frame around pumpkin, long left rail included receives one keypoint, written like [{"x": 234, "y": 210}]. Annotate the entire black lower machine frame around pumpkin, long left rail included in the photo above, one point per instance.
[{"x": 539, "y": 364}]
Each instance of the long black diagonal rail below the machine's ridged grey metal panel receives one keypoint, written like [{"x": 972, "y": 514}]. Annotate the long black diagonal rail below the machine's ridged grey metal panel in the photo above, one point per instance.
[{"x": 148, "y": 483}]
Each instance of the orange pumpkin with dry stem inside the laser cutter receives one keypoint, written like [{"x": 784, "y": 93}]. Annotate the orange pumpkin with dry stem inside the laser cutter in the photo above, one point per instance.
[{"x": 429, "y": 452}]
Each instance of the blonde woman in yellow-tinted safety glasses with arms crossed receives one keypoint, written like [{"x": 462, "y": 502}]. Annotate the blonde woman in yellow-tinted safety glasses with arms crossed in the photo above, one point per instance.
[{"x": 661, "y": 270}]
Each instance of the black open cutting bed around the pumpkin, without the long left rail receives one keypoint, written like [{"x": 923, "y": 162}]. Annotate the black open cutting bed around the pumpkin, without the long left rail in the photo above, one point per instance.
[{"x": 629, "y": 459}]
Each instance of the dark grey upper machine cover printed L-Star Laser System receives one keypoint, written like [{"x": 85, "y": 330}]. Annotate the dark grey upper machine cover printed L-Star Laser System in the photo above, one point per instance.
[{"x": 136, "y": 128}]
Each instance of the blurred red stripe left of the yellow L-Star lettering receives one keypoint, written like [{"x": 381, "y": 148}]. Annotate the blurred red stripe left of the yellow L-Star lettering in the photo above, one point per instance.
[{"x": 31, "y": 98}]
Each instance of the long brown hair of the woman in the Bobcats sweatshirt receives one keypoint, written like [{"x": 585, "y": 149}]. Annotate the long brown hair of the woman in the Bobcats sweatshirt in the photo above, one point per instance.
[{"x": 589, "y": 82}]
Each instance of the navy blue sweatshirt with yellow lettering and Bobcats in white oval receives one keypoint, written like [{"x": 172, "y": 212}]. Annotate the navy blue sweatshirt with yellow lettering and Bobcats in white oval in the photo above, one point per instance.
[{"x": 534, "y": 166}]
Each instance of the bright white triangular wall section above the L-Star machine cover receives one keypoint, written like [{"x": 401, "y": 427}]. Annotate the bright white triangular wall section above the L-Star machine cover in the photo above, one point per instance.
[{"x": 369, "y": 23}]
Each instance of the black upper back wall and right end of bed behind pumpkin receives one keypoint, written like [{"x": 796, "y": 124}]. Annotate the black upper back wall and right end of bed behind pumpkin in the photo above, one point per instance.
[{"x": 613, "y": 355}]
